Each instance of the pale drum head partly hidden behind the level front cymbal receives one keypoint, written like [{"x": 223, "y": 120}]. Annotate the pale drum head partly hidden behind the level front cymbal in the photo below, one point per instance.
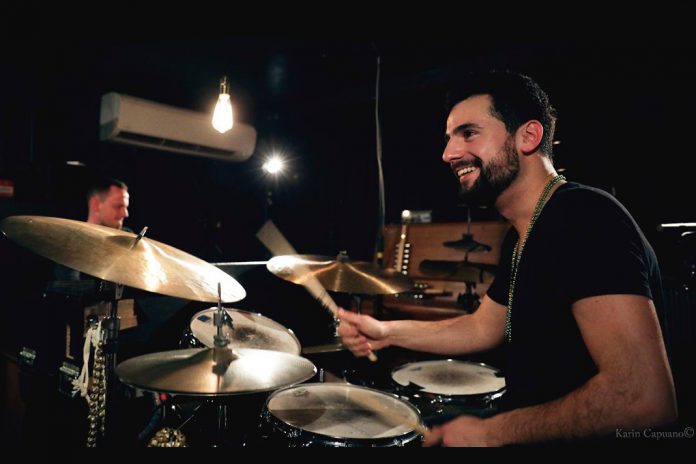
[{"x": 249, "y": 330}]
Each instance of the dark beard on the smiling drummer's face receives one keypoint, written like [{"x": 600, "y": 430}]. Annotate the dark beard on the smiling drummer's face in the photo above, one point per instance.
[{"x": 493, "y": 178}]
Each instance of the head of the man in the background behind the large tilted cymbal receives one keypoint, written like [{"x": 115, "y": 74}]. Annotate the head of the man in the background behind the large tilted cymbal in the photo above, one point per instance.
[{"x": 107, "y": 205}]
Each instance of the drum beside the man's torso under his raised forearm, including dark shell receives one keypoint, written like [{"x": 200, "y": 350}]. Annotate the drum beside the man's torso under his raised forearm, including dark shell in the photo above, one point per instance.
[{"x": 443, "y": 389}]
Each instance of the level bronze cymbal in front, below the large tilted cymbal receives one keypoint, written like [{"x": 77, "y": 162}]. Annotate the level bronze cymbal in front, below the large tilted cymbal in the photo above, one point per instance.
[{"x": 215, "y": 371}]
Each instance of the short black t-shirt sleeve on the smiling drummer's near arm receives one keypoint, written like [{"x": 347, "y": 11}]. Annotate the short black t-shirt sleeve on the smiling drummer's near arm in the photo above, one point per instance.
[{"x": 605, "y": 251}]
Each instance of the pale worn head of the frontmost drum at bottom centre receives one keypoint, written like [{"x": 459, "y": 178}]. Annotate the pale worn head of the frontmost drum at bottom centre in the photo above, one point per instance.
[{"x": 343, "y": 411}]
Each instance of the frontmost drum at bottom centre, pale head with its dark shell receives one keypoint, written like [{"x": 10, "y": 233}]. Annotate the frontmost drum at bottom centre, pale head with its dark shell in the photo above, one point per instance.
[{"x": 335, "y": 415}]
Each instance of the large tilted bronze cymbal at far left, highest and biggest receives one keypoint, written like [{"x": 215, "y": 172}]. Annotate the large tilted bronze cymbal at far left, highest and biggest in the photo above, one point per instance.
[{"x": 116, "y": 256}]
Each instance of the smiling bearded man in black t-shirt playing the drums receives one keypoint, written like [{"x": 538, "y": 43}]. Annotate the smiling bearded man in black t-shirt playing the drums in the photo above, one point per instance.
[{"x": 574, "y": 304}]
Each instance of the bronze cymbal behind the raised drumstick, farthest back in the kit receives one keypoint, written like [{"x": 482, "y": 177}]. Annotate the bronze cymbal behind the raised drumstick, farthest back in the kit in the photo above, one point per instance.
[{"x": 340, "y": 275}]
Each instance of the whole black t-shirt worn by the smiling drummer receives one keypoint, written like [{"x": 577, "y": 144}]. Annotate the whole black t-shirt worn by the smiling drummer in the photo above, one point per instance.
[{"x": 583, "y": 244}]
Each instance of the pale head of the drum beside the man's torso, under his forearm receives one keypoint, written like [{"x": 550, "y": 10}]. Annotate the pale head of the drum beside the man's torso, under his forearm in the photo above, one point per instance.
[{"x": 449, "y": 377}]
